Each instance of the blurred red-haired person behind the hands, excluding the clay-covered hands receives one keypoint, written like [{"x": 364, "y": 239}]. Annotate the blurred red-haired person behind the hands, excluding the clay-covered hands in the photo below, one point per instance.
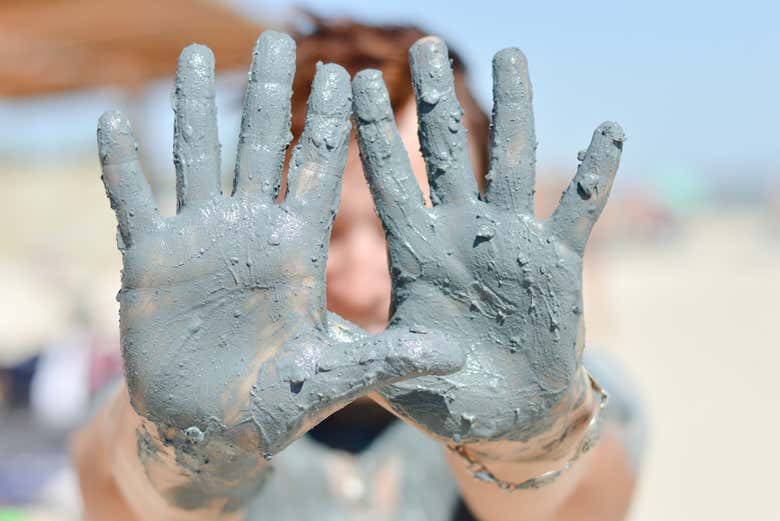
[{"x": 360, "y": 462}]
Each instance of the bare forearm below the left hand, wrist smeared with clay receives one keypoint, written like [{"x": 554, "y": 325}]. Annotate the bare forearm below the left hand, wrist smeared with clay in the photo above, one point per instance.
[{"x": 126, "y": 467}]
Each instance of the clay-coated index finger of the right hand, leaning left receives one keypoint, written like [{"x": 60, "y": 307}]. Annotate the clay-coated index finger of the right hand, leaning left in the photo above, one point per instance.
[{"x": 399, "y": 201}]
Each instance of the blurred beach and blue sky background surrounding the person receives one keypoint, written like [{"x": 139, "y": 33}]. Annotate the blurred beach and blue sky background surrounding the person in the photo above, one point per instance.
[{"x": 682, "y": 280}]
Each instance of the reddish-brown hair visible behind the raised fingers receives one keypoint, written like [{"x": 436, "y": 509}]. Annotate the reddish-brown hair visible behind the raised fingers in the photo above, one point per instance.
[{"x": 356, "y": 46}]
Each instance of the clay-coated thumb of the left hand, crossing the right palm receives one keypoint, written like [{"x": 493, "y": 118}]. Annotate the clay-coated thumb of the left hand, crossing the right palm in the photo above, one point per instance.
[{"x": 301, "y": 389}]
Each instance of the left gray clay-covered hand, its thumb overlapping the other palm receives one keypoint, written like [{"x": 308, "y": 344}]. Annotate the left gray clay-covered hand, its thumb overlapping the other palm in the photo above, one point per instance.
[{"x": 224, "y": 329}]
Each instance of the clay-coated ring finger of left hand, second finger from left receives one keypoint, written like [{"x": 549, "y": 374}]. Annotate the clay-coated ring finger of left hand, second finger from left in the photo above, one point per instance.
[{"x": 195, "y": 142}]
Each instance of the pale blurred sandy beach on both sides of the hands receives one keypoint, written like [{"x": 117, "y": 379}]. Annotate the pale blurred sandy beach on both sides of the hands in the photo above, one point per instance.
[{"x": 691, "y": 312}]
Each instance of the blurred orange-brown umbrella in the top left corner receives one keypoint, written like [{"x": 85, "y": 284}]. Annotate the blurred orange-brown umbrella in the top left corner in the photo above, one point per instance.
[{"x": 49, "y": 46}]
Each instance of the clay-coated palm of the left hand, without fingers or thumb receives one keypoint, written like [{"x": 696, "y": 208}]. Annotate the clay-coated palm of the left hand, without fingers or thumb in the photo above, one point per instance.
[{"x": 233, "y": 276}]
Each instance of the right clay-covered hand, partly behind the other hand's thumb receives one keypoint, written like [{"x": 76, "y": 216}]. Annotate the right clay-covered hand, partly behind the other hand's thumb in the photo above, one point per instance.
[{"x": 505, "y": 286}]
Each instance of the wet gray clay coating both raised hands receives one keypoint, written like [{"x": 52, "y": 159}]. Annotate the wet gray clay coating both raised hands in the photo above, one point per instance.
[{"x": 229, "y": 351}]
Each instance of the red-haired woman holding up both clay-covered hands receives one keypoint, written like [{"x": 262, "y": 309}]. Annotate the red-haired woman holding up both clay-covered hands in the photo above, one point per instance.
[{"x": 230, "y": 356}]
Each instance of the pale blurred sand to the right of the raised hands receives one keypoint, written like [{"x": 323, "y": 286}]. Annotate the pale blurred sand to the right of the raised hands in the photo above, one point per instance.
[{"x": 694, "y": 319}]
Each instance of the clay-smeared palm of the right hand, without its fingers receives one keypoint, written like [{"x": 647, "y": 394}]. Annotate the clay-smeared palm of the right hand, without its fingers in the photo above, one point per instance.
[{"x": 510, "y": 294}]
